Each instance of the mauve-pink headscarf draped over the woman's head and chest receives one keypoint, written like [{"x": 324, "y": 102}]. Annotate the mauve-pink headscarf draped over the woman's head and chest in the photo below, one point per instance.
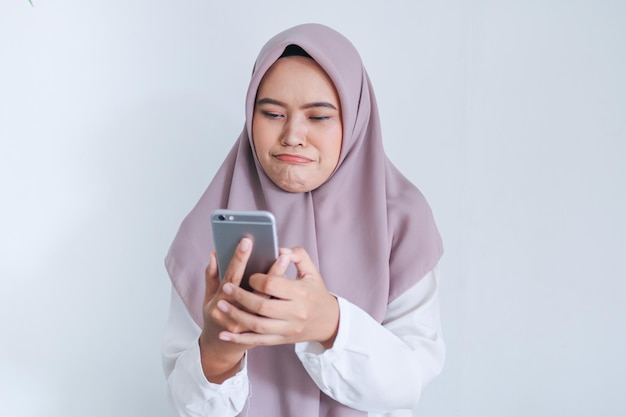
[{"x": 368, "y": 229}]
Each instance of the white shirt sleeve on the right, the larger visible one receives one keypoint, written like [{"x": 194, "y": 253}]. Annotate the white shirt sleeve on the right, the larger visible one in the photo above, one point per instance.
[{"x": 397, "y": 358}]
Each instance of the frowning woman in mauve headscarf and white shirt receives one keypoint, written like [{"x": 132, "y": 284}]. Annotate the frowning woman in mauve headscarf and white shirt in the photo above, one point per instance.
[{"x": 355, "y": 331}]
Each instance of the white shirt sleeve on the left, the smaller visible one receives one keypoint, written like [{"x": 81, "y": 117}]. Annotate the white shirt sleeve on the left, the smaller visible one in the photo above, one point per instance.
[{"x": 190, "y": 392}]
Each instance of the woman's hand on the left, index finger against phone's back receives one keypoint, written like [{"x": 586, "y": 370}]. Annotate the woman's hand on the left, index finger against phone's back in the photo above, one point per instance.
[{"x": 220, "y": 359}]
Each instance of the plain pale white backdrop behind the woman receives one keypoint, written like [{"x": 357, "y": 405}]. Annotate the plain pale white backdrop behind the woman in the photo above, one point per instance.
[{"x": 509, "y": 115}]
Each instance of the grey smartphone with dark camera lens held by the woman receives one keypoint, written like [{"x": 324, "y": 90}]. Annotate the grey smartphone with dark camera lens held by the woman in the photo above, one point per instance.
[{"x": 230, "y": 226}]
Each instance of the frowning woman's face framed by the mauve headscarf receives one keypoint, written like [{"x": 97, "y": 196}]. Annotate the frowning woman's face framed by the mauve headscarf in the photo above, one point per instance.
[{"x": 296, "y": 126}]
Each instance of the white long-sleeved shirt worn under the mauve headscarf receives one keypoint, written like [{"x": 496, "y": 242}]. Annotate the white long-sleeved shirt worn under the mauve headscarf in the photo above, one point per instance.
[{"x": 377, "y": 368}]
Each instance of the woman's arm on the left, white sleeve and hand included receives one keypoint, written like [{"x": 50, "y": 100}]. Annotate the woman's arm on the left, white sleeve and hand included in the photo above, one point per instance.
[{"x": 207, "y": 375}]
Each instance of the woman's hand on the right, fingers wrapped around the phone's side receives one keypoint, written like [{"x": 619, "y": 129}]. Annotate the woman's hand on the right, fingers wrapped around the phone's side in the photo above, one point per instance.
[{"x": 283, "y": 310}]
